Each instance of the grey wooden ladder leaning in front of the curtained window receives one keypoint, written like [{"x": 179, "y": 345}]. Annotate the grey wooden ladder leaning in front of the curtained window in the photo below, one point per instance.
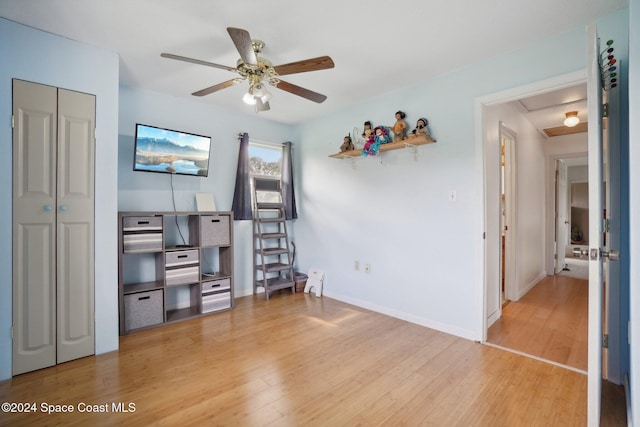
[{"x": 272, "y": 264}]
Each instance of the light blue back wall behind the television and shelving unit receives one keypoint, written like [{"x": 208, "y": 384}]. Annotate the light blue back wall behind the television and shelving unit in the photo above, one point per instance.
[{"x": 139, "y": 191}]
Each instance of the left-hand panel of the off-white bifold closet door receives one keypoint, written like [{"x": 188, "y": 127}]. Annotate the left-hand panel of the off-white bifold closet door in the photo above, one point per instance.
[{"x": 34, "y": 226}]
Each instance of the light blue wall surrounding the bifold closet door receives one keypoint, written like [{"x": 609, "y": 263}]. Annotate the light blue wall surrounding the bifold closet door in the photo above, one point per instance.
[{"x": 43, "y": 58}]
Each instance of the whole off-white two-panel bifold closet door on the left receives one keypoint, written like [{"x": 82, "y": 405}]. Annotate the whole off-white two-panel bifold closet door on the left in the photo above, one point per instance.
[{"x": 53, "y": 225}]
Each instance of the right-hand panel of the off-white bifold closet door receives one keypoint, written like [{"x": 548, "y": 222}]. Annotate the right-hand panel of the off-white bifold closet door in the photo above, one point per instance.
[{"x": 76, "y": 148}]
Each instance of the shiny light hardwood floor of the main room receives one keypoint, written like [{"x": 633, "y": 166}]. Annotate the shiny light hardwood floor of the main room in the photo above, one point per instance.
[{"x": 300, "y": 360}]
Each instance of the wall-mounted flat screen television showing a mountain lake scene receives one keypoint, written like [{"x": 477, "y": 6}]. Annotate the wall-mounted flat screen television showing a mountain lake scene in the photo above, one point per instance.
[{"x": 171, "y": 151}]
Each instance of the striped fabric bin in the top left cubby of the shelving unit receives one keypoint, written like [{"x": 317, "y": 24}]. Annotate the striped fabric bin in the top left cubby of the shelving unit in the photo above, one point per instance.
[{"x": 142, "y": 234}]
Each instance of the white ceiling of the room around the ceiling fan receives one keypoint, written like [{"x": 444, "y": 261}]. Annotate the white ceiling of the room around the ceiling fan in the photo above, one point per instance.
[{"x": 377, "y": 46}]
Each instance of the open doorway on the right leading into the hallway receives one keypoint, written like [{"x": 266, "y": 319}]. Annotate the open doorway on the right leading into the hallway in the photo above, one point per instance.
[{"x": 522, "y": 271}]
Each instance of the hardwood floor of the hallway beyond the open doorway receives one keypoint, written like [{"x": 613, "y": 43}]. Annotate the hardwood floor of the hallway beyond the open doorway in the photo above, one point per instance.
[{"x": 550, "y": 321}]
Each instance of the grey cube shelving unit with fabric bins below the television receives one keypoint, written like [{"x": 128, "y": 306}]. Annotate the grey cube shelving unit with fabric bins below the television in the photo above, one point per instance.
[{"x": 173, "y": 266}]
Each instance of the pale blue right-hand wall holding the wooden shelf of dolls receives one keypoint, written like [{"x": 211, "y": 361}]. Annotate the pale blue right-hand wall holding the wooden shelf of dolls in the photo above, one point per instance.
[{"x": 393, "y": 212}]
